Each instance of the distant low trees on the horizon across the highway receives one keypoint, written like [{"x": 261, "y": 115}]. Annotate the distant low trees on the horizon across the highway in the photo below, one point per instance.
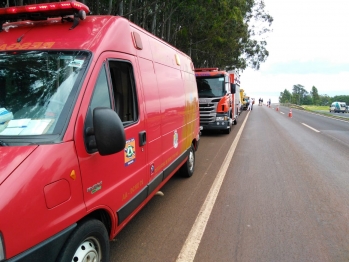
[{"x": 300, "y": 96}]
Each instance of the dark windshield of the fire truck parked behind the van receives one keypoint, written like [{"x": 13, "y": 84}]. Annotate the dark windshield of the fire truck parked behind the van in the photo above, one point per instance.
[{"x": 211, "y": 87}]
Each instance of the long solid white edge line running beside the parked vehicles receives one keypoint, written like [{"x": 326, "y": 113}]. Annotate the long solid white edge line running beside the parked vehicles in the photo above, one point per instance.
[{"x": 193, "y": 240}]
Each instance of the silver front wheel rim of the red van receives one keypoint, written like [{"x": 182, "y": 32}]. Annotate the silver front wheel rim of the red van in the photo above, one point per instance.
[{"x": 88, "y": 251}]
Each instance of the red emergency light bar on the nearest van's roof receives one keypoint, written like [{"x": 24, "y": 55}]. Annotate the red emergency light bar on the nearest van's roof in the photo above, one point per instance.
[{"x": 43, "y": 11}]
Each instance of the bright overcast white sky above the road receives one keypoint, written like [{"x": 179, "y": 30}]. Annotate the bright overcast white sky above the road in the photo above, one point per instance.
[{"x": 308, "y": 45}]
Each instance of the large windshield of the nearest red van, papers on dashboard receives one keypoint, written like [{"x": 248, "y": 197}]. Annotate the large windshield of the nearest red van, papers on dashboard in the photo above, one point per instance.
[{"x": 37, "y": 89}]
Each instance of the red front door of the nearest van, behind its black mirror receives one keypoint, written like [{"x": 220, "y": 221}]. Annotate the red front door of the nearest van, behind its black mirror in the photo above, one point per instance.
[{"x": 118, "y": 181}]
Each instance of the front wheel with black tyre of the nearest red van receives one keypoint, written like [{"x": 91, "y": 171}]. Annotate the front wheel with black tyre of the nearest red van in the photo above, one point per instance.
[{"x": 88, "y": 242}]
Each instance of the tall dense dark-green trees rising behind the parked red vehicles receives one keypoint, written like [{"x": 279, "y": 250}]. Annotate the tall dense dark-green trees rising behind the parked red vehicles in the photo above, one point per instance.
[{"x": 228, "y": 34}]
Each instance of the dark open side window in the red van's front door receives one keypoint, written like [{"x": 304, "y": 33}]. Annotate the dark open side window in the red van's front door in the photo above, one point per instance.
[{"x": 125, "y": 102}]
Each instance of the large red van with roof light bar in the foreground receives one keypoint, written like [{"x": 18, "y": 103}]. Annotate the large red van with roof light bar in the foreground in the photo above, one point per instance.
[{"x": 96, "y": 115}]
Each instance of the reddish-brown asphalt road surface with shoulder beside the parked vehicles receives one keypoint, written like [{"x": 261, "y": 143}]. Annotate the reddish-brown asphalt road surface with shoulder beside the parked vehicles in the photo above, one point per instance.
[{"x": 284, "y": 196}]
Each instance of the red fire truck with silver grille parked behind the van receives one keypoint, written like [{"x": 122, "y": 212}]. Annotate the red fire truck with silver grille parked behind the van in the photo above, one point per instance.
[{"x": 218, "y": 98}]
